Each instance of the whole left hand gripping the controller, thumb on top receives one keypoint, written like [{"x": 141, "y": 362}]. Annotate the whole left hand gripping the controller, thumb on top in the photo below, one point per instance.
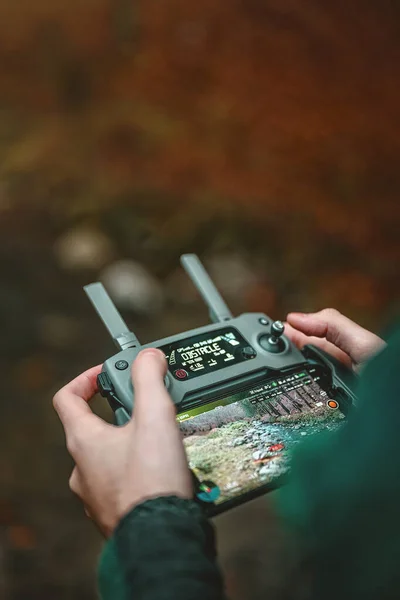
[{"x": 119, "y": 467}]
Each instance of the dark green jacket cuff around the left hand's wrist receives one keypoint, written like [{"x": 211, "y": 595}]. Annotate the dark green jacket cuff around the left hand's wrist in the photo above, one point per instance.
[{"x": 163, "y": 549}]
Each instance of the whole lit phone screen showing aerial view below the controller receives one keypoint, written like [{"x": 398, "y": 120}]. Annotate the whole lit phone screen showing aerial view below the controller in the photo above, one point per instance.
[{"x": 242, "y": 442}]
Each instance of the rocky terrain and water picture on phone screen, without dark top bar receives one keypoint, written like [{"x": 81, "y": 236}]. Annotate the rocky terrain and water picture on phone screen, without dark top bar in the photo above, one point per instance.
[{"x": 242, "y": 445}]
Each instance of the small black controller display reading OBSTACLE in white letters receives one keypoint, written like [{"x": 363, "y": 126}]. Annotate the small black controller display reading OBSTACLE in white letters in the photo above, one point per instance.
[{"x": 206, "y": 352}]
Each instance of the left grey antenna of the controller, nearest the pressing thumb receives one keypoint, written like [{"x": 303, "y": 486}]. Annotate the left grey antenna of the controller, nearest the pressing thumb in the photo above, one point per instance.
[{"x": 108, "y": 313}]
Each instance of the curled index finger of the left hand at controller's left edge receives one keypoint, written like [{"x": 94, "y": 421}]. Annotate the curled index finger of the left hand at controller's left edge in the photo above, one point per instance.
[{"x": 71, "y": 402}]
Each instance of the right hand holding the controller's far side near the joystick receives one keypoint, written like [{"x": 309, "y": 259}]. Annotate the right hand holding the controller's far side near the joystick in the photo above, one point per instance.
[{"x": 336, "y": 334}]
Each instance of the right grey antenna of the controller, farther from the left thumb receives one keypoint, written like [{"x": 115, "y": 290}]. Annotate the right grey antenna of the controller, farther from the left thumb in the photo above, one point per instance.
[{"x": 219, "y": 311}]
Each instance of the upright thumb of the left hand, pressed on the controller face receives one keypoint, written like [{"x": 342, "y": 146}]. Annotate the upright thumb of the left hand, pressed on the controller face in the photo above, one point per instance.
[{"x": 152, "y": 401}]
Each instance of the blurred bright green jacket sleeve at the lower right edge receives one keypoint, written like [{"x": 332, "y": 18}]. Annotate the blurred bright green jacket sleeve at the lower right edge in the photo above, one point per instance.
[{"x": 342, "y": 503}]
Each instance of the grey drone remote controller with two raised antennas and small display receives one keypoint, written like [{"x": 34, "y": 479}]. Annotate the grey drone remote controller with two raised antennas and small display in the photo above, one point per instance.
[{"x": 228, "y": 356}]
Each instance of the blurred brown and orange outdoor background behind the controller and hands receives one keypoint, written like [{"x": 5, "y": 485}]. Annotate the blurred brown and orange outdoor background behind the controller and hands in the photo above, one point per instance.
[{"x": 262, "y": 135}]
